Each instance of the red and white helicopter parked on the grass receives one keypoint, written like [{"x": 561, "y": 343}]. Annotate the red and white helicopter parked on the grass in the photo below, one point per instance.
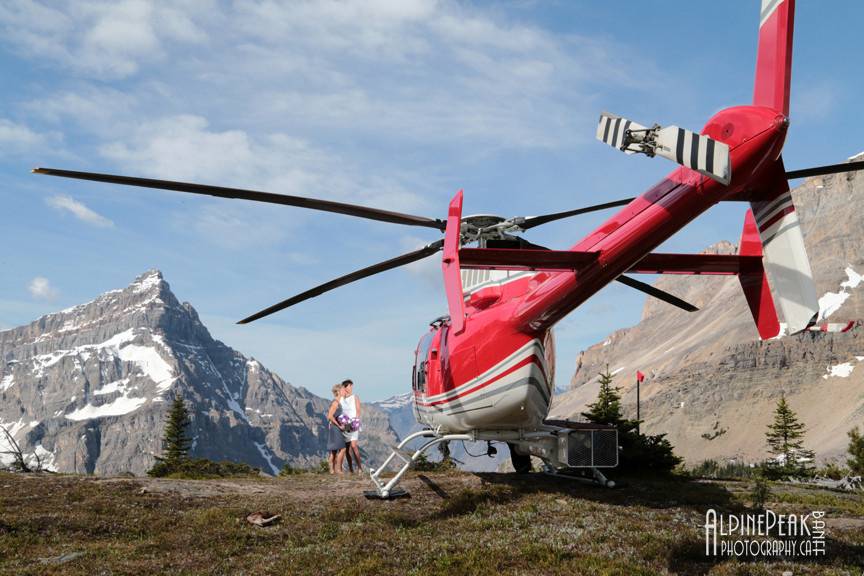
[{"x": 485, "y": 371}]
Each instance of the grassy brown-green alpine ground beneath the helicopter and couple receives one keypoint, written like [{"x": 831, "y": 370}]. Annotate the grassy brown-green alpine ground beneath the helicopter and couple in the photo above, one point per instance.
[{"x": 453, "y": 523}]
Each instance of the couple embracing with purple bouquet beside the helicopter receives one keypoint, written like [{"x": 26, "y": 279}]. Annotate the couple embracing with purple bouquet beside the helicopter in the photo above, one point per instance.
[{"x": 344, "y": 428}]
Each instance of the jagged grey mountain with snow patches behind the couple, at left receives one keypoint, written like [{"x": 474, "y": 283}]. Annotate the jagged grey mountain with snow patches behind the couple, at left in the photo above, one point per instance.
[{"x": 87, "y": 390}]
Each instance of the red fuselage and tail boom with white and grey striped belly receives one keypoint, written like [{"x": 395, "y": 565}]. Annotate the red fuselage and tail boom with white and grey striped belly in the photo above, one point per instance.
[{"x": 497, "y": 373}]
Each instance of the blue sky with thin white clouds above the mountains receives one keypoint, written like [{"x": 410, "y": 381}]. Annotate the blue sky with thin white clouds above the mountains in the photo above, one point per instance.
[{"x": 390, "y": 104}]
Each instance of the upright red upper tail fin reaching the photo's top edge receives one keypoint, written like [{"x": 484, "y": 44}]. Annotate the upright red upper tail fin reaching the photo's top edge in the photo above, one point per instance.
[{"x": 774, "y": 55}]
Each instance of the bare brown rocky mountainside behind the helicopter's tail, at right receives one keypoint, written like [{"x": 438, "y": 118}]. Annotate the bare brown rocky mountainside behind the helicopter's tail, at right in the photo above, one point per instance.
[{"x": 711, "y": 384}]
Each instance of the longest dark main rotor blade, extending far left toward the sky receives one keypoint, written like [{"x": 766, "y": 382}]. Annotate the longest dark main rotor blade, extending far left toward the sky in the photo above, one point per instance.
[{"x": 222, "y": 192}]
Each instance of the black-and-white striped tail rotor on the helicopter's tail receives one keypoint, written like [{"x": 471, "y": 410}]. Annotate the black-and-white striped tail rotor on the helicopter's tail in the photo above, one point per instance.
[{"x": 695, "y": 151}]
